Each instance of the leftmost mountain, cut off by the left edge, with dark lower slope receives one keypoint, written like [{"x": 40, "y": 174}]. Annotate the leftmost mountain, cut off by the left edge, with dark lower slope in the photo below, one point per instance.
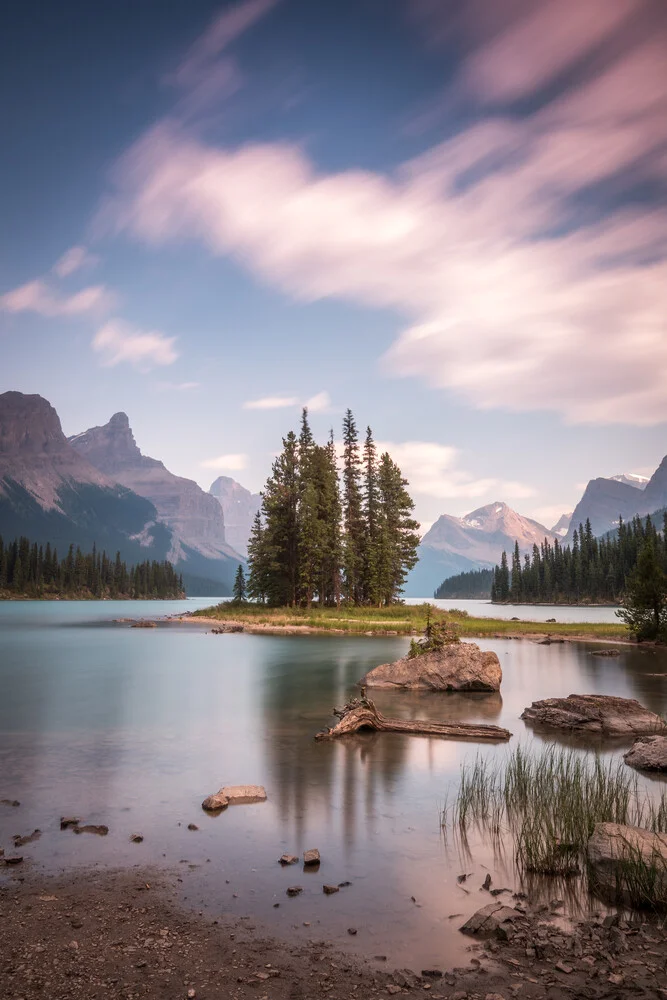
[{"x": 48, "y": 492}]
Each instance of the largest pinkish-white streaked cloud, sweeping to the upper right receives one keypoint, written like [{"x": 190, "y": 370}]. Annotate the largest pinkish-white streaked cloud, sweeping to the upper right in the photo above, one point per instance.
[{"x": 528, "y": 272}]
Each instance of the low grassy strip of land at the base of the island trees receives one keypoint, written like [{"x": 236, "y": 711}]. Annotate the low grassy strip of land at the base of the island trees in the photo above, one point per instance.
[{"x": 400, "y": 619}]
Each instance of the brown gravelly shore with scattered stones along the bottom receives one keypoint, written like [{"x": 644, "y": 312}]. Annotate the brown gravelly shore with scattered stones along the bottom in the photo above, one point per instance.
[{"x": 120, "y": 935}]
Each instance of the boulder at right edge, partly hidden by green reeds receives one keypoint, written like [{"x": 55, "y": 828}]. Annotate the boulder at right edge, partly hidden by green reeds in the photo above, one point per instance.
[{"x": 612, "y": 847}]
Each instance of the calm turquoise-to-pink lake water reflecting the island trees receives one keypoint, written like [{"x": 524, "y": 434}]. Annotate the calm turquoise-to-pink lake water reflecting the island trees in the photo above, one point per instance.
[{"x": 132, "y": 728}]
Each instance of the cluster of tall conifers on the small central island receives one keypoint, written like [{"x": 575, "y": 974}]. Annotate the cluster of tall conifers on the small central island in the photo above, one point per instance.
[{"x": 316, "y": 540}]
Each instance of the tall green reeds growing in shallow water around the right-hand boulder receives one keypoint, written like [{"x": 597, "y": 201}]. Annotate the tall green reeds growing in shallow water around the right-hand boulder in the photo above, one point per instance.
[{"x": 549, "y": 802}]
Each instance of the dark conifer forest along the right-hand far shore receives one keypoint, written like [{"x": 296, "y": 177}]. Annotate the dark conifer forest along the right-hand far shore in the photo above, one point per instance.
[{"x": 590, "y": 570}]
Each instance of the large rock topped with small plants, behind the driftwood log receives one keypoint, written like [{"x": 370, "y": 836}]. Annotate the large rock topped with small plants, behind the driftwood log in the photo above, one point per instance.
[{"x": 461, "y": 666}]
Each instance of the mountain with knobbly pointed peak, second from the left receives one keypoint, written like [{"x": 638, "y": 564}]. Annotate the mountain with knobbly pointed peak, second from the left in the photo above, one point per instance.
[{"x": 194, "y": 518}]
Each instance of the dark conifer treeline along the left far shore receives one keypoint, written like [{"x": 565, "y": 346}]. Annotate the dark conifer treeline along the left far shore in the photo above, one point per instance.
[{"x": 32, "y": 570}]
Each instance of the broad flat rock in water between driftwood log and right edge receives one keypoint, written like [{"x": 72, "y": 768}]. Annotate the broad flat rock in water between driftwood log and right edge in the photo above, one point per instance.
[{"x": 595, "y": 713}]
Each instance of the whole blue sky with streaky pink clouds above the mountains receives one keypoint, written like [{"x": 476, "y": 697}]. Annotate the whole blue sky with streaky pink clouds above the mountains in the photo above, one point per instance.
[{"x": 450, "y": 217}]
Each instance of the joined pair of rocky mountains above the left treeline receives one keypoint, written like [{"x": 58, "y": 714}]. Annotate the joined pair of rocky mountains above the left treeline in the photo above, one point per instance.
[{"x": 98, "y": 488}]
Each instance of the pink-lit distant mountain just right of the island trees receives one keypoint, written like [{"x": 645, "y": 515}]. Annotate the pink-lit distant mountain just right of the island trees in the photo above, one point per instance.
[{"x": 456, "y": 544}]
